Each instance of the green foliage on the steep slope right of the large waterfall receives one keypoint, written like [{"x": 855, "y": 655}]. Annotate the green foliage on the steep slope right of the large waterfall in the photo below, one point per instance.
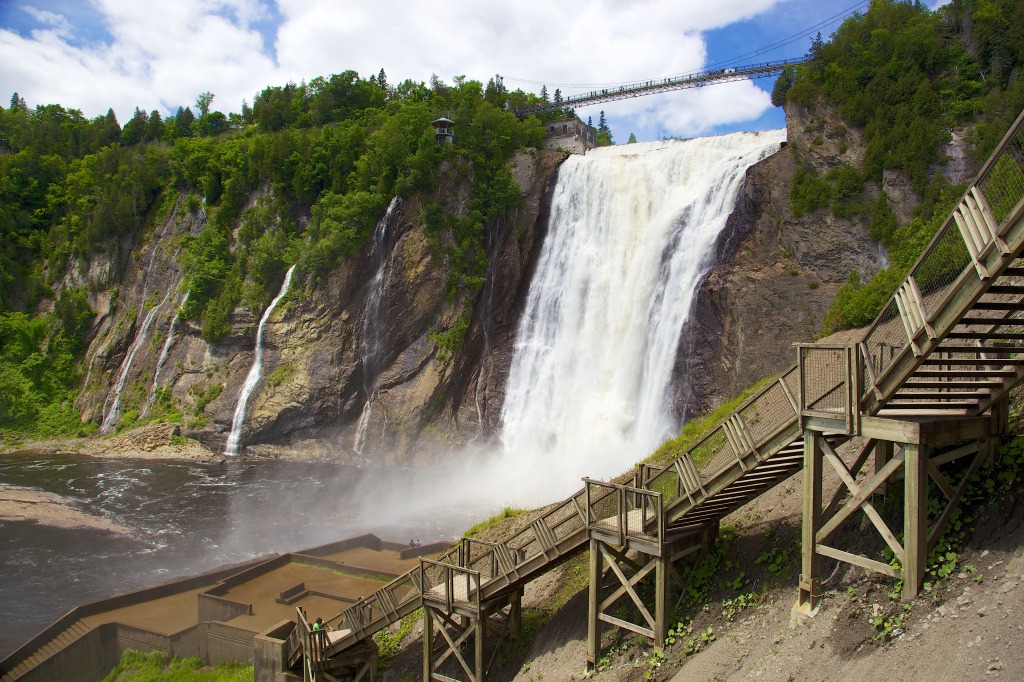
[{"x": 906, "y": 76}]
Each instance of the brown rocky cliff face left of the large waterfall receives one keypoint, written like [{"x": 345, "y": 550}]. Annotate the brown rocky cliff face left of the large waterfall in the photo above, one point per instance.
[{"x": 352, "y": 366}]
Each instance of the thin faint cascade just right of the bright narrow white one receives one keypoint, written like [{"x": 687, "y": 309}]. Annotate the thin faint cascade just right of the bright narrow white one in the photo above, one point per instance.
[{"x": 375, "y": 319}]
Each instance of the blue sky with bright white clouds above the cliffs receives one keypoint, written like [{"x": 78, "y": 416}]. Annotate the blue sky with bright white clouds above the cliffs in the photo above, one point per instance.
[{"x": 96, "y": 55}]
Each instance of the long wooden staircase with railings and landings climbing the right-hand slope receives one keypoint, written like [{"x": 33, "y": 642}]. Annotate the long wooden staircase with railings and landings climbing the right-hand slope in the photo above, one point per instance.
[{"x": 949, "y": 346}]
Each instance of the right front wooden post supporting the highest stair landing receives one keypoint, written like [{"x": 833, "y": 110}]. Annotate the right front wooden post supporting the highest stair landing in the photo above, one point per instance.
[{"x": 915, "y": 518}]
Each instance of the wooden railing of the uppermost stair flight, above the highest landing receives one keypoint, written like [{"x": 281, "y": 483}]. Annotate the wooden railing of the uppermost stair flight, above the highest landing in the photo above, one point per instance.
[{"x": 957, "y": 251}]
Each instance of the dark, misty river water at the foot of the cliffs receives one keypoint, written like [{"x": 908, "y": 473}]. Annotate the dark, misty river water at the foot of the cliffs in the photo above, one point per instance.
[{"x": 191, "y": 519}]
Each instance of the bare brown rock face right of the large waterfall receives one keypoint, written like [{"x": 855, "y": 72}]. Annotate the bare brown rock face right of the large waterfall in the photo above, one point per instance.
[{"x": 777, "y": 275}]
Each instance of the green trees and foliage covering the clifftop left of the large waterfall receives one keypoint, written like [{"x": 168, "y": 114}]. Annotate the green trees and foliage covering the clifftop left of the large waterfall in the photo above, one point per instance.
[{"x": 75, "y": 191}]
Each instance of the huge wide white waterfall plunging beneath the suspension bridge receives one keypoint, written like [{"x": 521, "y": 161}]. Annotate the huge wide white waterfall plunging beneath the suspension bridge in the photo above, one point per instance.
[{"x": 632, "y": 232}]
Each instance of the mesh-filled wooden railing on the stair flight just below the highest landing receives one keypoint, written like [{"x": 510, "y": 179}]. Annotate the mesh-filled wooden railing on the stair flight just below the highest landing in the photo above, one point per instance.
[{"x": 755, "y": 424}]
